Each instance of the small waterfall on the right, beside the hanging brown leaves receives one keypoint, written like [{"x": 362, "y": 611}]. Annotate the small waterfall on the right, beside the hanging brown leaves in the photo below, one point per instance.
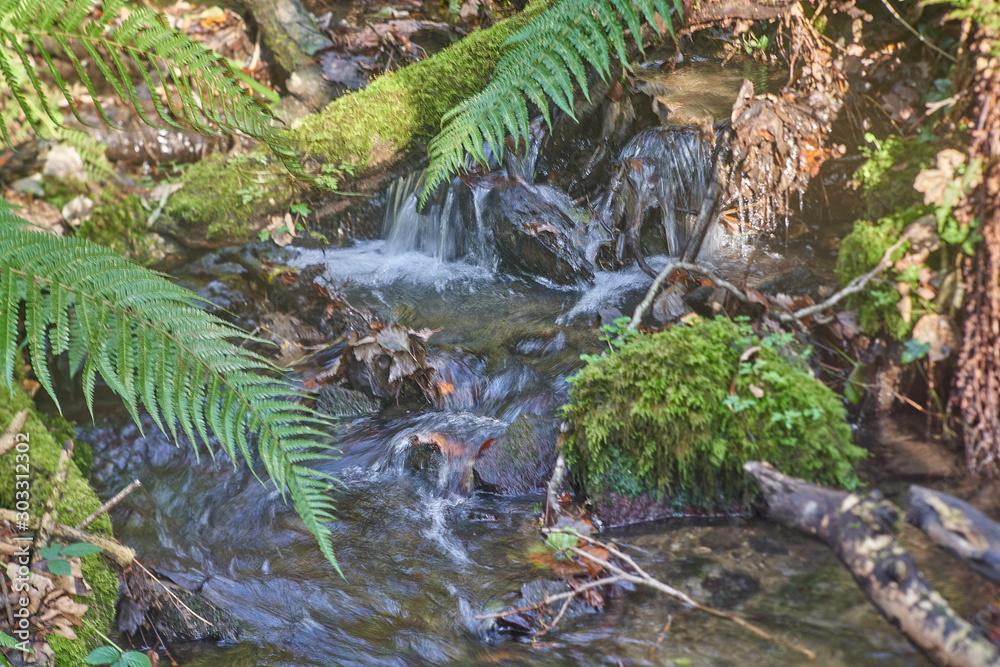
[{"x": 665, "y": 169}]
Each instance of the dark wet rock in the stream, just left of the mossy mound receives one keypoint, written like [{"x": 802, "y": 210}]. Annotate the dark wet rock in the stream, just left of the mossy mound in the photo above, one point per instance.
[{"x": 521, "y": 460}]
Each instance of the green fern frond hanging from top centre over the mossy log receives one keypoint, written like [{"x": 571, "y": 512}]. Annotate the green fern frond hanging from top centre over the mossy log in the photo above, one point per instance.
[{"x": 543, "y": 61}]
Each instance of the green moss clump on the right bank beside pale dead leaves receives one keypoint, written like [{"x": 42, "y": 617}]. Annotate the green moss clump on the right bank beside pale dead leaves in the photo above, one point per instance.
[{"x": 860, "y": 252}]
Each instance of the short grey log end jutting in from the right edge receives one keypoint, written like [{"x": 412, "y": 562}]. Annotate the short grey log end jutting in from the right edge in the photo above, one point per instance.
[{"x": 958, "y": 528}]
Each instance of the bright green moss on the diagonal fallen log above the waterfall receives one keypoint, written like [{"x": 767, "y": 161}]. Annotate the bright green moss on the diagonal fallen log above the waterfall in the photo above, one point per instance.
[{"x": 363, "y": 134}]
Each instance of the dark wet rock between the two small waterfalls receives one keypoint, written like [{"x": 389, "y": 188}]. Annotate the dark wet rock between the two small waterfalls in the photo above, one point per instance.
[{"x": 534, "y": 234}]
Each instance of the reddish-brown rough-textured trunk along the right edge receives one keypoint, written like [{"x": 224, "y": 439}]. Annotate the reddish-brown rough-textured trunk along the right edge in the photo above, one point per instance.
[{"x": 977, "y": 383}]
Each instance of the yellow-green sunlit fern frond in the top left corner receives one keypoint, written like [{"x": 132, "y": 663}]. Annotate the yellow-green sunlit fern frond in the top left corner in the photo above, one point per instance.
[{"x": 124, "y": 40}]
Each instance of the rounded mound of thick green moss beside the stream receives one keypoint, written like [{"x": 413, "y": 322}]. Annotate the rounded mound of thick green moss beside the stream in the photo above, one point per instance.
[{"x": 656, "y": 419}]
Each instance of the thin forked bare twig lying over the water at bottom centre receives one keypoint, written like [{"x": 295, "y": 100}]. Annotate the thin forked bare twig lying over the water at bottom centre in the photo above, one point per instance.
[{"x": 639, "y": 577}]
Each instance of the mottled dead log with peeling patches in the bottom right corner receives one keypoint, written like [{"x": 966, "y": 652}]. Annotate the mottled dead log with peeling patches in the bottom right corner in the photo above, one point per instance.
[{"x": 862, "y": 532}]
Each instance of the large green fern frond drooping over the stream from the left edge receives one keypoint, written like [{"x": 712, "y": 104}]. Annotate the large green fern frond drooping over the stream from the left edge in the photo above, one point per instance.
[{"x": 148, "y": 340}]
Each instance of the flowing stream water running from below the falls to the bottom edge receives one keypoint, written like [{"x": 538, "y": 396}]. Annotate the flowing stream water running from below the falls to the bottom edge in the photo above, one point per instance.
[{"x": 421, "y": 561}]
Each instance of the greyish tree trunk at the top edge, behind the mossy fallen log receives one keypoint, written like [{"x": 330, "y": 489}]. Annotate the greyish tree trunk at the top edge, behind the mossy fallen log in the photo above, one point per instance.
[{"x": 291, "y": 35}]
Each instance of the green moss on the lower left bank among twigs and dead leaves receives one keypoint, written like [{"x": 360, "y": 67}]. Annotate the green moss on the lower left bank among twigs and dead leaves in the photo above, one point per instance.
[{"x": 77, "y": 502}]
